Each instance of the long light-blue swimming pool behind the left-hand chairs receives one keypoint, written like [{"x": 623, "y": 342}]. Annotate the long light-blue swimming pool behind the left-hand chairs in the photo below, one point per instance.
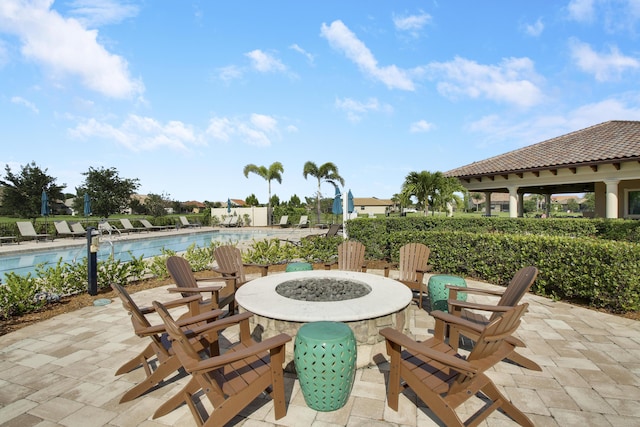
[{"x": 25, "y": 262}]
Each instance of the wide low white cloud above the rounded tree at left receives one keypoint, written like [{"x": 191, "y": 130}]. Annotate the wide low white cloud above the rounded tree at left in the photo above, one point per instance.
[{"x": 139, "y": 133}]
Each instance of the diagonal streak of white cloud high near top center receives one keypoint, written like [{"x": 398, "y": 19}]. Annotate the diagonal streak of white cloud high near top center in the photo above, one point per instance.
[{"x": 342, "y": 39}]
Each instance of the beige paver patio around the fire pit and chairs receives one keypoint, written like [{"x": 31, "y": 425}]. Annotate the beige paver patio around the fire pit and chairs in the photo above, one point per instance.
[{"x": 60, "y": 372}]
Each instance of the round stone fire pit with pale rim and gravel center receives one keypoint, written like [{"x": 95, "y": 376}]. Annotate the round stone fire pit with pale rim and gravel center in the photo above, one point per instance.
[{"x": 373, "y": 302}]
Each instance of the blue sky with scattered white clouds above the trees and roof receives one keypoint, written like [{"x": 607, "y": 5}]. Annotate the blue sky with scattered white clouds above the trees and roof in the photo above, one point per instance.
[{"x": 183, "y": 94}]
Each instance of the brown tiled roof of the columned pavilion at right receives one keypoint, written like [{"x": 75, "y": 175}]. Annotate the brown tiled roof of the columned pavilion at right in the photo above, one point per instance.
[{"x": 606, "y": 142}]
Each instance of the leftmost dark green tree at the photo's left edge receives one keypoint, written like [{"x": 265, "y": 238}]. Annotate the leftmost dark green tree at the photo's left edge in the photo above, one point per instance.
[{"x": 23, "y": 191}]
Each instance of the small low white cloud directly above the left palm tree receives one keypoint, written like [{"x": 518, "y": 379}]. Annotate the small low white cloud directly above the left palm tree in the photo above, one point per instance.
[{"x": 257, "y": 131}]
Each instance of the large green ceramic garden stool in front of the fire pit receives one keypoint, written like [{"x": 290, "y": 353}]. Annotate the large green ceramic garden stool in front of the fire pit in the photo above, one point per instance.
[{"x": 325, "y": 361}]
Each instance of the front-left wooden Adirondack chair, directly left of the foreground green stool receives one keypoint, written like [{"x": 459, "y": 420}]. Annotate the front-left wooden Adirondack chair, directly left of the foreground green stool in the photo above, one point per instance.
[{"x": 230, "y": 381}]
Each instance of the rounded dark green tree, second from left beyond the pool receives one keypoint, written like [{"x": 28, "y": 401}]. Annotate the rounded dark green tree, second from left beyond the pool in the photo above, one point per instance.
[{"x": 109, "y": 193}]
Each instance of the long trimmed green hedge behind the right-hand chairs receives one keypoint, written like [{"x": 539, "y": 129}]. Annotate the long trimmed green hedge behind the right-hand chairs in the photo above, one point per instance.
[{"x": 601, "y": 273}]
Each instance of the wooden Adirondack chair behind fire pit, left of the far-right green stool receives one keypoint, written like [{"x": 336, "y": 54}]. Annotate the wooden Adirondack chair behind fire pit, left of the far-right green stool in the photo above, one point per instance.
[{"x": 412, "y": 266}]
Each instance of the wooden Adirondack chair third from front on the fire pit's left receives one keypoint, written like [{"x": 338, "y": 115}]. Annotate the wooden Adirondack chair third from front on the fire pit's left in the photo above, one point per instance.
[{"x": 222, "y": 290}]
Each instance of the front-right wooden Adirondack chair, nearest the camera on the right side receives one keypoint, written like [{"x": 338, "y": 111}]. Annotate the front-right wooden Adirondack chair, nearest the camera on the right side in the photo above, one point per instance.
[{"x": 443, "y": 379}]
